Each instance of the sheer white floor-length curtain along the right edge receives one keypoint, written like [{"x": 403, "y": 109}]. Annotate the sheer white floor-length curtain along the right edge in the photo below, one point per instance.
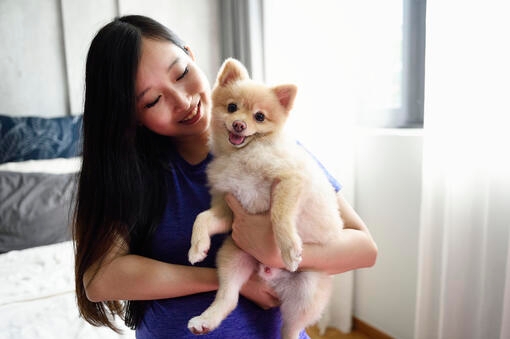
[{"x": 464, "y": 258}]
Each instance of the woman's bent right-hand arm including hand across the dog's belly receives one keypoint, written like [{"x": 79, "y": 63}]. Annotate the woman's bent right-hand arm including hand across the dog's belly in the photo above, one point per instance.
[{"x": 354, "y": 248}]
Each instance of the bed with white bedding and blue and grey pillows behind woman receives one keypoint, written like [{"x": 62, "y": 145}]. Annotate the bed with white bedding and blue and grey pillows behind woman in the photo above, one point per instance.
[{"x": 39, "y": 162}]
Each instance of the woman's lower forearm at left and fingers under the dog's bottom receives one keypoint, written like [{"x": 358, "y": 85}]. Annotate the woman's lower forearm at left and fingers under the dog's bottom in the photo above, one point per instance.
[{"x": 123, "y": 276}]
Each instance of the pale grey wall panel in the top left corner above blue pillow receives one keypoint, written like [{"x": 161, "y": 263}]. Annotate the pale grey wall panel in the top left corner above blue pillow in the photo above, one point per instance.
[{"x": 31, "y": 58}]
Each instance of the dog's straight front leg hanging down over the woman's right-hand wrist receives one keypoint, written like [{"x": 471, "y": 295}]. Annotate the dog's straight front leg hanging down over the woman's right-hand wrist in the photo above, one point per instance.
[{"x": 284, "y": 208}]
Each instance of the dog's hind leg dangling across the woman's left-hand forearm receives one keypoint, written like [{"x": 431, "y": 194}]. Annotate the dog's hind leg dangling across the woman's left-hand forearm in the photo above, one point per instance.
[{"x": 234, "y": 269}]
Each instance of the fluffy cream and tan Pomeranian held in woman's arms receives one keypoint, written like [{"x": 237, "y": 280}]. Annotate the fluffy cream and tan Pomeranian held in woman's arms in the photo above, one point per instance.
[{"x": 251, "y": 151}]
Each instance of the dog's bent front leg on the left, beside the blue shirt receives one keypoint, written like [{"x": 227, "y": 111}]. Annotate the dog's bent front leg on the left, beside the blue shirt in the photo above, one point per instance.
[{"x": 217, "y": 219}]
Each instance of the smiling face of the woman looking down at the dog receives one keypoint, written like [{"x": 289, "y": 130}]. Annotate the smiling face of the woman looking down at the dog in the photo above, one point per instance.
[{"x": 172, "y": 92}]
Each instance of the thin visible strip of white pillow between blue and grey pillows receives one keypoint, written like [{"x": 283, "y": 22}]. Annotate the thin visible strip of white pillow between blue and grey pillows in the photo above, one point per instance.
[{"x": 54, "y": 166}]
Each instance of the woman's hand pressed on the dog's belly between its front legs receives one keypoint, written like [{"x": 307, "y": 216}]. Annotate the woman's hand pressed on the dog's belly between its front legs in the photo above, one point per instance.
[{"x": 253, "y": 233}]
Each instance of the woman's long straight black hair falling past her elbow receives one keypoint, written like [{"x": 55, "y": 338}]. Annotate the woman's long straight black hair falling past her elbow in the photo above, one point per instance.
[{"x": 121, "y": 191}]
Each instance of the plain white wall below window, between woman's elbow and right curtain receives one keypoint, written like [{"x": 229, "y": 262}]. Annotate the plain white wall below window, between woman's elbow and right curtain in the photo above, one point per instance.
[{"x": 388, "y": 193}]
